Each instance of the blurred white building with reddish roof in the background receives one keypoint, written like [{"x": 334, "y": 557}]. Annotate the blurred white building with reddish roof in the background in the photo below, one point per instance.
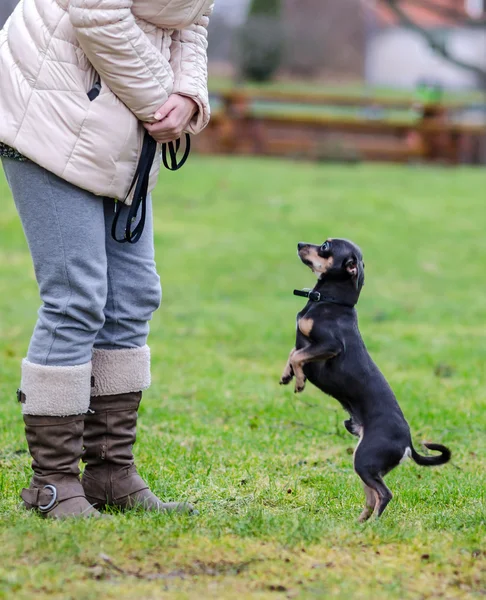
[{"x": 399, "y": 57}]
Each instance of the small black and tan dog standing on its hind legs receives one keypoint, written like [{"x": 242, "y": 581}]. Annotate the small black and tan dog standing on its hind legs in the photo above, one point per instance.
[{"x": 331, "y": 354}]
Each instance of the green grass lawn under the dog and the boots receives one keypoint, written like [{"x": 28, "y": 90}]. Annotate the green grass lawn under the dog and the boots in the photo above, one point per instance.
[{"x": 271, "y": 472}]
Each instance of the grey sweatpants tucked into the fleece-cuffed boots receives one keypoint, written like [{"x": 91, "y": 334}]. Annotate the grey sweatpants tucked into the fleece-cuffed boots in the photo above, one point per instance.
[{"x": 95, "y": 292}]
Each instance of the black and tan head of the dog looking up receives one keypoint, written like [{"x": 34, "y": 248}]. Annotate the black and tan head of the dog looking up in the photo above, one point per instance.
[{"x": 335, "y": 259}]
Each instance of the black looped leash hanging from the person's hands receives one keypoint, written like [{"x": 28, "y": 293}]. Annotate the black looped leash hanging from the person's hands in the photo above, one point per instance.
[{"x": 141, "y": 182}]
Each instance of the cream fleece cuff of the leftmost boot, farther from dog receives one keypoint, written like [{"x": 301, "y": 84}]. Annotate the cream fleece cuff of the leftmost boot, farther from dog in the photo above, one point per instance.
[{"x": 54, "y": 391}]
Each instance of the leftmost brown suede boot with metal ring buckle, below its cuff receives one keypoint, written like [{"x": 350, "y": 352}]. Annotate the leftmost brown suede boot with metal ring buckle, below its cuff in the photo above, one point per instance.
[{"x": 56, "y": 445}]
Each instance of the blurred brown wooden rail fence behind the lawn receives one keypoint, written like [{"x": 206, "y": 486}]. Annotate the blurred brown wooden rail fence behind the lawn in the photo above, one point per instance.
[{"x": 347, "y": 128}]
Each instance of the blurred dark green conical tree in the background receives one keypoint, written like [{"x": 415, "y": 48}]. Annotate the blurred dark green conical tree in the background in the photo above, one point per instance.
[{"x": 261, "y": 41}]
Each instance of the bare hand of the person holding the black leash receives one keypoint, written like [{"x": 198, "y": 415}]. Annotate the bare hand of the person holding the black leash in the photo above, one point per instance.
[{"x": 172, "y": 118}]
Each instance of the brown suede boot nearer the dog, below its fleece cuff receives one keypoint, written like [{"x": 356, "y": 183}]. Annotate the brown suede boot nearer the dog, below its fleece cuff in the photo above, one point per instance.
[{"x": 111, "y": 477}]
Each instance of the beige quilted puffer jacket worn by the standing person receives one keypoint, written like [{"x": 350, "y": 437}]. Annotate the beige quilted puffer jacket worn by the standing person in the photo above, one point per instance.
[{"x": 53, "y": 51}]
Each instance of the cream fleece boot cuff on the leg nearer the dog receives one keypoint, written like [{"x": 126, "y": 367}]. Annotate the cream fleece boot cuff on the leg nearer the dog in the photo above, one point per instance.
[{"x": 120, "y": 371}]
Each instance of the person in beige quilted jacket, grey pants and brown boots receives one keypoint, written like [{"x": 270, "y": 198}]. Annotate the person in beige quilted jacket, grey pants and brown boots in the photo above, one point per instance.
[{"x": 82, "y": 81}]
